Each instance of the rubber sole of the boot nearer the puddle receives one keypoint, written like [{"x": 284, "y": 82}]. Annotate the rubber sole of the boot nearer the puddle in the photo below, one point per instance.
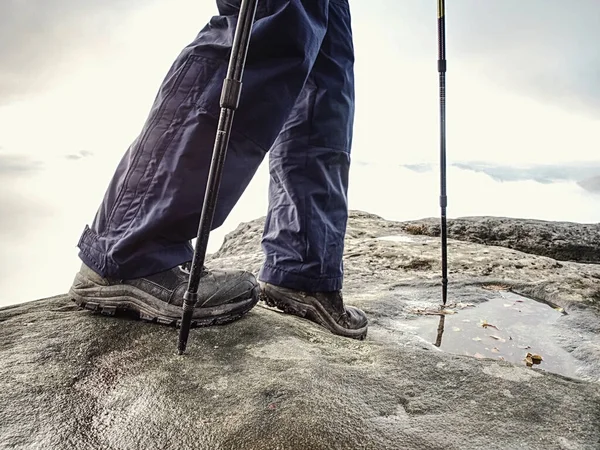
[{"x": 311, "y": 310}]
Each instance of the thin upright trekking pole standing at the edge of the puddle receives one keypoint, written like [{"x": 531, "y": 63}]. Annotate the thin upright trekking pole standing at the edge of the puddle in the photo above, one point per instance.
[{"x": 443, "y": 197}]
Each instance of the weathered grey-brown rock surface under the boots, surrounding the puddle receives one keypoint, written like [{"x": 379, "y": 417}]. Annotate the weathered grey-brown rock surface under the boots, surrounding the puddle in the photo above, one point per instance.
[{"x": 75, "y": 380}]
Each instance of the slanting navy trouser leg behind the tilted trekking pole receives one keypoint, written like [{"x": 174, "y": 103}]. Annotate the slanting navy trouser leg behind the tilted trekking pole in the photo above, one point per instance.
[{"x": 152, "y": 206}]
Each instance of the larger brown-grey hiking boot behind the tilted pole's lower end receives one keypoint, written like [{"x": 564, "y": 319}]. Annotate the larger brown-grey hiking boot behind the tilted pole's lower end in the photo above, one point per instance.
[{"x": 224, "y": 295}]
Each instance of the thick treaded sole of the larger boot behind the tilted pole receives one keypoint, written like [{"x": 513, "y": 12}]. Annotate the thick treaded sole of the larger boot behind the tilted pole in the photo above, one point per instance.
[{"x": 116, "y": 299}]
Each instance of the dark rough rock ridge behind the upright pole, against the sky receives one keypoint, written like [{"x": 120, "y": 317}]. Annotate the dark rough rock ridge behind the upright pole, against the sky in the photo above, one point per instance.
[{"x": 564, "y": 241}]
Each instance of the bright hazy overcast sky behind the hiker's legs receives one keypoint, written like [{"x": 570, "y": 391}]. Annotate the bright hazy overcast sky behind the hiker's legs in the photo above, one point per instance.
[{"x": 523, "y": 94}]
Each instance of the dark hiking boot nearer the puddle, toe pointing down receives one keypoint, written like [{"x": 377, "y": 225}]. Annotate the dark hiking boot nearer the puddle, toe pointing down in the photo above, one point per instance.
[{"x": 324, "y": 308}]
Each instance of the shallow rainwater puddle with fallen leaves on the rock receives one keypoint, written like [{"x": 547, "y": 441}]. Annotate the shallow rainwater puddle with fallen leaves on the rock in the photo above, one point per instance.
[{"x": 516, "y": 326}]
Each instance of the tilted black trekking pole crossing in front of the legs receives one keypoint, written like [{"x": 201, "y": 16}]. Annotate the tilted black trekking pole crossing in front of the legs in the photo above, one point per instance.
[{"x": 230, "y": 97}]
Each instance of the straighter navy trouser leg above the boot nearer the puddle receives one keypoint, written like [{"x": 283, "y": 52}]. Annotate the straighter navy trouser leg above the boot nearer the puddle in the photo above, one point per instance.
[{"x": 304, "y": 233}]
